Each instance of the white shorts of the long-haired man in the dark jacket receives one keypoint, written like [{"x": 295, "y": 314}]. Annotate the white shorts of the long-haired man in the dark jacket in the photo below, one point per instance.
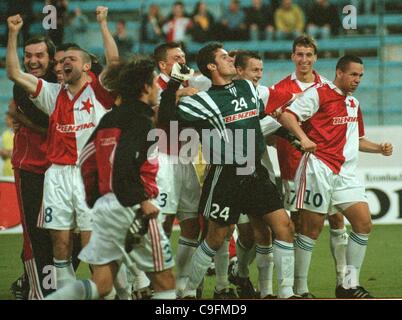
[{"x": 110, "y": 226}]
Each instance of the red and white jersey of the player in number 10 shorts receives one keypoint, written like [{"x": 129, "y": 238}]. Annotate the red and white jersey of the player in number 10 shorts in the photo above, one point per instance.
[{"x": 334, "y": 122}]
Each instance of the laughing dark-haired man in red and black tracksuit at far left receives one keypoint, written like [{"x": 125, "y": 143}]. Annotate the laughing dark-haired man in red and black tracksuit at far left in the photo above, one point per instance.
[{"x": 30, "y": 163}]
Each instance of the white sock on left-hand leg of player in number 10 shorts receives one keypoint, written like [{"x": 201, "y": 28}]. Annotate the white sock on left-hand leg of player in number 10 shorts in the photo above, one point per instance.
[{"x": 303, "y": 252}]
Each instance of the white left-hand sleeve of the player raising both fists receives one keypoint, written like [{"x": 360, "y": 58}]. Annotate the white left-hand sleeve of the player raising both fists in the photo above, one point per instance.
[{"x": 46, "y": 95}]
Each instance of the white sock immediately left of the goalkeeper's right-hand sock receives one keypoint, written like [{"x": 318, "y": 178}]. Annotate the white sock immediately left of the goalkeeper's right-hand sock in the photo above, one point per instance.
[{"x": 265, "y": 264}]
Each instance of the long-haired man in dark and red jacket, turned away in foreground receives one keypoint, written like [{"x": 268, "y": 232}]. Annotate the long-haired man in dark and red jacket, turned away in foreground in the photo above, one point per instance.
[{"x": 122, "y": 137}]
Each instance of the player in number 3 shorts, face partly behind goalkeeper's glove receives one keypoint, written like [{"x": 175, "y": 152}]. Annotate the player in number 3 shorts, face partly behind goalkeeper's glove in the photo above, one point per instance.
[{"x": 177, "y": 181}]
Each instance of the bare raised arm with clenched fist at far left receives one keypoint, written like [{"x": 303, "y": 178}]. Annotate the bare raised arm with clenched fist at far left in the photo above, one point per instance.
[{"x": 27, "y": 81}]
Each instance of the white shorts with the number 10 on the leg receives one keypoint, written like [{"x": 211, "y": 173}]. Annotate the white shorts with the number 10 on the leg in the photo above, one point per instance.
[{"x": 320, "y": 190}]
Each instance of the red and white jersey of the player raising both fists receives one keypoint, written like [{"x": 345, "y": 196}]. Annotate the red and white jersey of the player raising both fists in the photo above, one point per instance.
[{"x": 72, "y": 118}]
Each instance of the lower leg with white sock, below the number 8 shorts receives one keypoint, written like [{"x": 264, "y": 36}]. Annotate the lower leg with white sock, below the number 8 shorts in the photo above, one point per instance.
[{"x": 62, "y": 250}]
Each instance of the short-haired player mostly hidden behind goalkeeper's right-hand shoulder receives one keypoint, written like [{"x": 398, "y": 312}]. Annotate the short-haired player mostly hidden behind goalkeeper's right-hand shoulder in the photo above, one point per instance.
[{"x": 249, "y": 66}]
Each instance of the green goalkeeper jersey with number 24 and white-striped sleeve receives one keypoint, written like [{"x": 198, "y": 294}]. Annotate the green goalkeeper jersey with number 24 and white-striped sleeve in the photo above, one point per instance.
[{"x": 227, "y": 120}]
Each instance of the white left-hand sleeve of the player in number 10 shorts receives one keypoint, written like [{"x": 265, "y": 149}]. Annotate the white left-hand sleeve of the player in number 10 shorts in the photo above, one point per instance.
[{"x": 306, "y": 105}]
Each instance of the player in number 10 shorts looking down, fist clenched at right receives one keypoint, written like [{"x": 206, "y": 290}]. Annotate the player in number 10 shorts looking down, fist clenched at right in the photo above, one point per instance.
[{"x": 331, "y": 135}]
